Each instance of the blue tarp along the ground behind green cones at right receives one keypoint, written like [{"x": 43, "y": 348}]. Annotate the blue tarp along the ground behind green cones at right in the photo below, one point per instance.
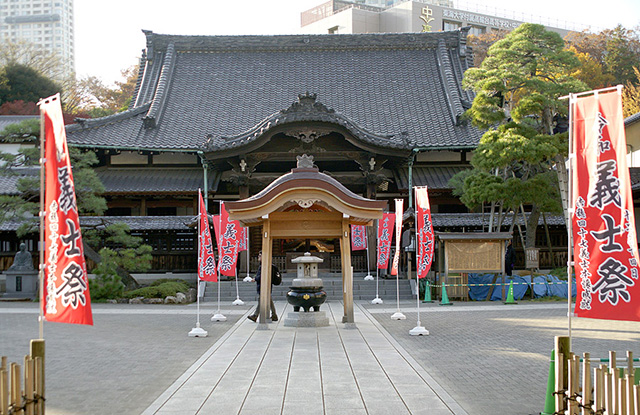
[{"x": 544, "y": 285}]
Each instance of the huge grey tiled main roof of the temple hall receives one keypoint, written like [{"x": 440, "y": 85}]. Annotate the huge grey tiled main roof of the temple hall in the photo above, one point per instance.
[{"x": 203, "y": 91}]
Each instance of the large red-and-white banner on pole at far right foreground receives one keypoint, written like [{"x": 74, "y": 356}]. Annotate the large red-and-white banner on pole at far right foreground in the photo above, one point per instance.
[{"x": 605, "y": 244}]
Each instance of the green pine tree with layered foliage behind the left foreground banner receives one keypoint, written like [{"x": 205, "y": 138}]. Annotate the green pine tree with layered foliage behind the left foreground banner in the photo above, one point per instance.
[{"x": 109, "y": 245}]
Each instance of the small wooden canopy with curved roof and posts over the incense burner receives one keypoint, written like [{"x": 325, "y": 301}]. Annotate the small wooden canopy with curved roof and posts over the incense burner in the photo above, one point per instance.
[{"x": 306, "y": 204}]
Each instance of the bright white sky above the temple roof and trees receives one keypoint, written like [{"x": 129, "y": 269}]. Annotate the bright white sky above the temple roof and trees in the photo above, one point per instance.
[{"x": 109, "y": 34}]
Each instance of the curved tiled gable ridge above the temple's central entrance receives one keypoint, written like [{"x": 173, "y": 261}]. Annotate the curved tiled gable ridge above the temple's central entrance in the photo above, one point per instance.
[{"x": 307, "y": 109}]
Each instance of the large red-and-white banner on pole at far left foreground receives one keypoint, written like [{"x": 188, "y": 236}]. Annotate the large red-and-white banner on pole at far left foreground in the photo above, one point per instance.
[{"x": 65, "y": 294}]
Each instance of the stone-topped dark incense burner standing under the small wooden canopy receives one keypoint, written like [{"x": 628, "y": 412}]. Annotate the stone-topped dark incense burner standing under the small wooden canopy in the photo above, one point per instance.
[{"x": 306, "y": 294}]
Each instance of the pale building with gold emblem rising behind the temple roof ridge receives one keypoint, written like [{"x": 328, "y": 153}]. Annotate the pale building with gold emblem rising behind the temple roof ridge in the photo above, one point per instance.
[{"x": 397, "y": 16}]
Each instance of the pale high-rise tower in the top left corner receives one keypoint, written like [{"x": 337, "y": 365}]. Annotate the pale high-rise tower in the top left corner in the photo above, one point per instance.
[{"x": 48, "y": 24}]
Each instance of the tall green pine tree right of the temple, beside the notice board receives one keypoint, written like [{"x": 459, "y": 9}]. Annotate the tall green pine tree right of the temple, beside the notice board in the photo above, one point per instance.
[{"x": 517, "y": 89}]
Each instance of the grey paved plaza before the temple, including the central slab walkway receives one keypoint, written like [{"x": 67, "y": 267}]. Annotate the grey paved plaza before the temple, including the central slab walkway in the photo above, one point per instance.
[{"x": 479, "y": 358}]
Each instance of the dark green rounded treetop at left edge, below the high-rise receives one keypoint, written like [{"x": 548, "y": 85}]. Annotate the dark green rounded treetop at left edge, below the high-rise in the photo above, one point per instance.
[{"x": 25, "y": 83}]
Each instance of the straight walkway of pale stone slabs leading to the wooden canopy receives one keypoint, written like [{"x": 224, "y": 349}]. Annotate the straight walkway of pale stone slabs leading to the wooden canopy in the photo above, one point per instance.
[{"x": 286, "y": 370}]
